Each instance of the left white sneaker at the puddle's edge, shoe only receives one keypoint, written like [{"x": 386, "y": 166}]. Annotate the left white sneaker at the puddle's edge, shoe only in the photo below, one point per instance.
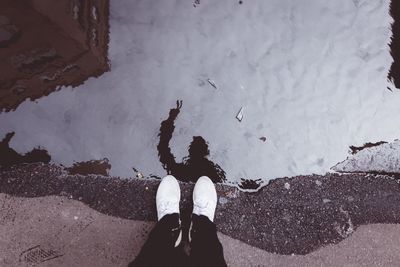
[{"x": 168, "y": 196}]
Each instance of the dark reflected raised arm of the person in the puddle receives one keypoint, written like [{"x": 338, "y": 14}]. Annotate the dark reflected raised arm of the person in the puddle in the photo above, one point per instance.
[{"x": 166, "y": 130}]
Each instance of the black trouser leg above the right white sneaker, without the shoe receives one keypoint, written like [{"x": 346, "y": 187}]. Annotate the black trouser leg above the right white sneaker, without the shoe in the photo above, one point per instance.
[{"x": 206, "y": 250}]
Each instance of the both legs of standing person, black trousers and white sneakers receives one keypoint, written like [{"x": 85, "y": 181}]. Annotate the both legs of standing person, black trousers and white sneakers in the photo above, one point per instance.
[{"x": 163, "y": 245}]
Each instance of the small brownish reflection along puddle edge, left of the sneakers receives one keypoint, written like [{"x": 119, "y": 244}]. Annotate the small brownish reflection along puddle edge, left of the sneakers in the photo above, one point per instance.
[{"x": 98, "y": 167}]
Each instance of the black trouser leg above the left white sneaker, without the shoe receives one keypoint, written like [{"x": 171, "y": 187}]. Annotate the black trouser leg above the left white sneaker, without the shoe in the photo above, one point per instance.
[{"x": 159, "y": 249}]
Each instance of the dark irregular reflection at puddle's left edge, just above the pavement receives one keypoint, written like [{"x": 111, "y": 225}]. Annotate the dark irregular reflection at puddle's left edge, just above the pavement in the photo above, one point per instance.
[{"x": 9, "y": 156}]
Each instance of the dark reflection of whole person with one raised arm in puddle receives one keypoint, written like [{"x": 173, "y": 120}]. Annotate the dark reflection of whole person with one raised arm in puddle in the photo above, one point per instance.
[{"x": 196, "y": 164}]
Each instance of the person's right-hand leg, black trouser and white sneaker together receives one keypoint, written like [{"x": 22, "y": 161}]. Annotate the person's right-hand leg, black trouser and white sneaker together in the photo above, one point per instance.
[{"x": 206, "y": 250}]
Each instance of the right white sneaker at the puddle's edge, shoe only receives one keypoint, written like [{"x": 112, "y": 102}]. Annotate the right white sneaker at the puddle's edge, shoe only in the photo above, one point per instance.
[{"x": 204, "y": 198}]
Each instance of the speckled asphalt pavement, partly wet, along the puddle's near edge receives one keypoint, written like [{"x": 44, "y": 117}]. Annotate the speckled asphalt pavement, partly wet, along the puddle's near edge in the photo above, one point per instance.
[{"x": 51, "y": 218}]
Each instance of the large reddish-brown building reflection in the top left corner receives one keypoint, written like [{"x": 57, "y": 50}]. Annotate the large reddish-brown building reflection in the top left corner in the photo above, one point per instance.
[{"x": 47, "y": 44}]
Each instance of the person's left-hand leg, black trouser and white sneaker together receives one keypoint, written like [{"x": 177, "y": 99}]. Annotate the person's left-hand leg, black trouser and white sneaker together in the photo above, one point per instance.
[{"x": 160, "y": 247}]
